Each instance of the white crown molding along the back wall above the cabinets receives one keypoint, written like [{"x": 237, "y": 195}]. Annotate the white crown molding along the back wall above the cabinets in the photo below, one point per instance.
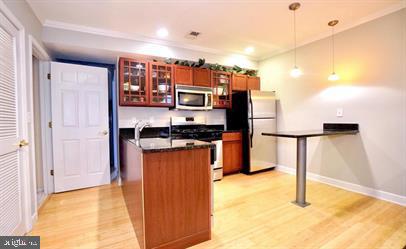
[{"x": 135, "y": 37}]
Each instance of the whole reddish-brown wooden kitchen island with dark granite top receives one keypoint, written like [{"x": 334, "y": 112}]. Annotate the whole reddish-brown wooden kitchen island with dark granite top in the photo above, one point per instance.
[{"x": 167, "y": 190}]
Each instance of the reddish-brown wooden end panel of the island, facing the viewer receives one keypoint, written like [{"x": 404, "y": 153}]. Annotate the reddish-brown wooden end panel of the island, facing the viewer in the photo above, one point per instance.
[{"x": 177, "y": 198}]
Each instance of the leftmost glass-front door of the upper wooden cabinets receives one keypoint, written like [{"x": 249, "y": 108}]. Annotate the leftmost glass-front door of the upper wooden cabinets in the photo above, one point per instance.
[{"x": 133, "y": 82}]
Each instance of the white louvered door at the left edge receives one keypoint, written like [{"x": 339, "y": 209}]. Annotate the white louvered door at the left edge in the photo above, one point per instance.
[{"x": 11, "y": 155}]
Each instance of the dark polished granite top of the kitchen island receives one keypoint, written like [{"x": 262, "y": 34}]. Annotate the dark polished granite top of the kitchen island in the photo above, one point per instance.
[{"x": 149, "y": 145}]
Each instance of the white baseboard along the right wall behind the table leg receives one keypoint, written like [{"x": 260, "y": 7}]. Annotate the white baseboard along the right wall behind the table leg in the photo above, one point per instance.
[{"x": 378, "y": 194}]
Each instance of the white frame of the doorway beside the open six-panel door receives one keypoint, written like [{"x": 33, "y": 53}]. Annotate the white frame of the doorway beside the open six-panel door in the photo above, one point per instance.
[{"x": 35, "y": 49}]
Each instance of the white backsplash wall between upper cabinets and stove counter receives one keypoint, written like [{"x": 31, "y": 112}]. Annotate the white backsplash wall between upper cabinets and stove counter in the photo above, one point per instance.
[{"x": 160, "y": 117}]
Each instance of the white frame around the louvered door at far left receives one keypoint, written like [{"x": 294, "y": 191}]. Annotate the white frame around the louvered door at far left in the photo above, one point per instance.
[{"x": 22, "y": 106}]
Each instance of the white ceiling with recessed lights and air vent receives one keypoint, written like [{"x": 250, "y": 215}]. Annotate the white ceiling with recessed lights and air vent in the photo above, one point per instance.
[{"x": 228, "y": 26}]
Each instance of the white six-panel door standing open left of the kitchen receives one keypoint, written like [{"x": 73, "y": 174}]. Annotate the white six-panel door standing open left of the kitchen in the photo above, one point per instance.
[{"x": 79, "y": 126}]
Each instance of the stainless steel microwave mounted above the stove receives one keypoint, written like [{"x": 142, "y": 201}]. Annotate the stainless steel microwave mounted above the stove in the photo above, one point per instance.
[{"x": 193, "y": 98}]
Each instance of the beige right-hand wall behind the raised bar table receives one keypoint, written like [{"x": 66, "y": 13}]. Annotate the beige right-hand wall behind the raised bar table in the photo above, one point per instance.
[{"x": 370, "y": 59}]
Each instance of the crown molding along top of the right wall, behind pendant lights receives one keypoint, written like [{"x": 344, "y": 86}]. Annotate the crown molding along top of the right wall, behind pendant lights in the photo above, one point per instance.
[{"x": 387, "y": 11}]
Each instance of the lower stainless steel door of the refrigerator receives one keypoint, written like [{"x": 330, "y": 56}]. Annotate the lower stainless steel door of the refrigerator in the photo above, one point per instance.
[{"x": 263, "y": 150}]
